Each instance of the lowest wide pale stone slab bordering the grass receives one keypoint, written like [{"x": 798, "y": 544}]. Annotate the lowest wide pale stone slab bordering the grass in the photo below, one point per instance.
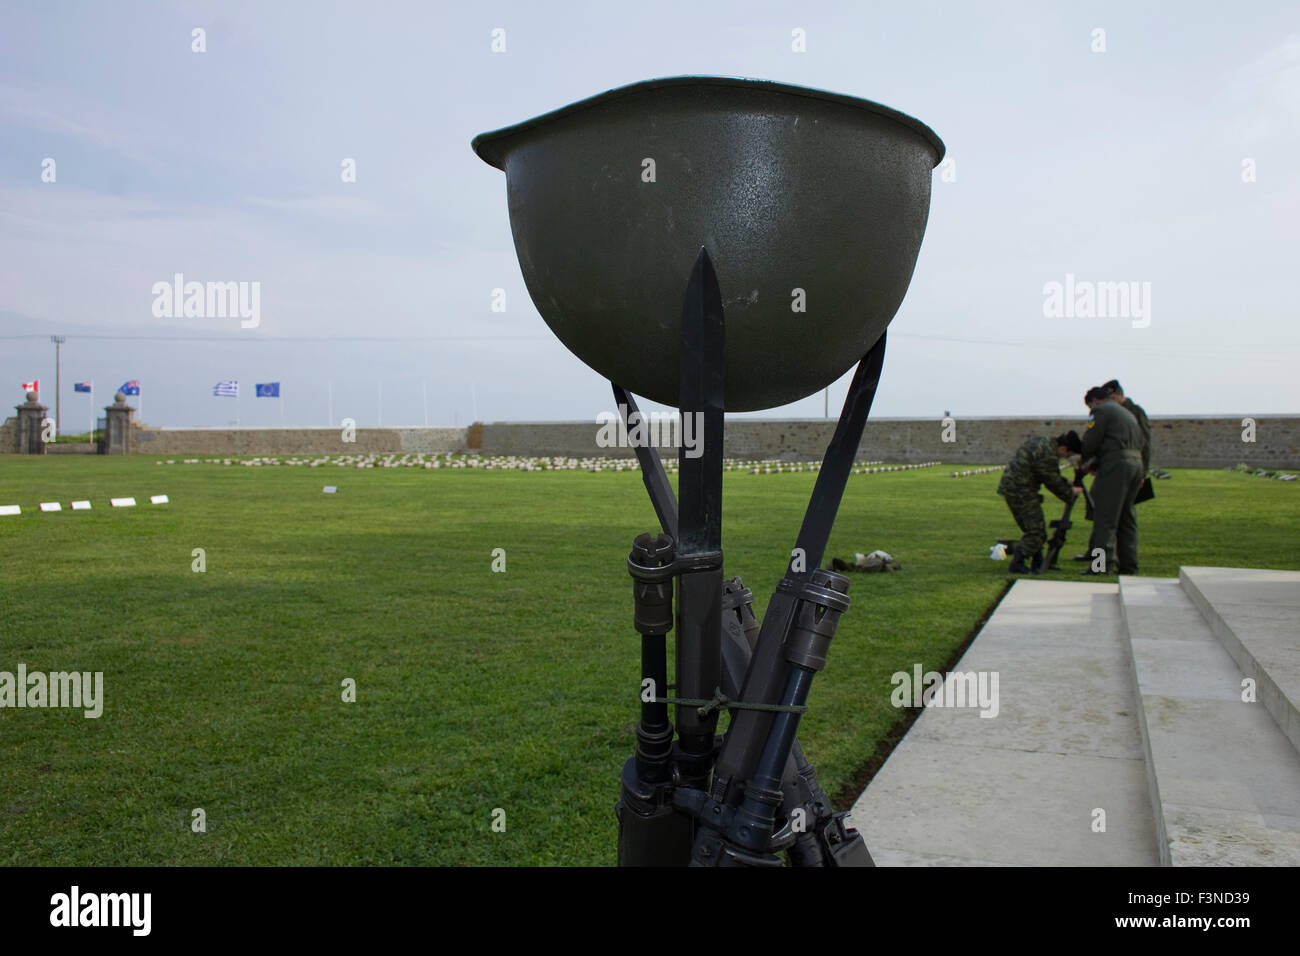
[{"x": 1025, "y": 786}]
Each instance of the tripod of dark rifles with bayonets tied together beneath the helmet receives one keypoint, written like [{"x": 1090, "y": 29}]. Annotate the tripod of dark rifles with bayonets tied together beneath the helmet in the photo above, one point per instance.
[{"x": 744, "y": 799}]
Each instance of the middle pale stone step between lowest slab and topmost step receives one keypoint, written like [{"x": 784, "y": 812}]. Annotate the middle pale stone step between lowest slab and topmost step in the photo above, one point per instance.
[{"x": 1224, "y": 780}]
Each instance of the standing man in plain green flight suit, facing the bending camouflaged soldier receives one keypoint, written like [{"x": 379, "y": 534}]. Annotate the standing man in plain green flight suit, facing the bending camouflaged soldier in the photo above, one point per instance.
[{"x": 1116, "y": 442}]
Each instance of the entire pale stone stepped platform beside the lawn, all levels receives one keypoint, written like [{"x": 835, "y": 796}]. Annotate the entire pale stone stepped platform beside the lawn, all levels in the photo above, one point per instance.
[{"x": 1119, "y": 700}]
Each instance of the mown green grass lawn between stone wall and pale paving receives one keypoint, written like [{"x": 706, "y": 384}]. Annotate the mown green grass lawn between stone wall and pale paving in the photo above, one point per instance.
[{"x": 475, "y": 691}]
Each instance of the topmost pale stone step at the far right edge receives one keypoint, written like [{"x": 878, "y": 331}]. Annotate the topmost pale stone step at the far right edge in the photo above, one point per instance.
[{"x": 1256, "y": 616}]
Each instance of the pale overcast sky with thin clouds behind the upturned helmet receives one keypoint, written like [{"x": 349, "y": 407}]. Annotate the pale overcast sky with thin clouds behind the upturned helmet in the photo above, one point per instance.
[{"x": 1132, "y": 165}]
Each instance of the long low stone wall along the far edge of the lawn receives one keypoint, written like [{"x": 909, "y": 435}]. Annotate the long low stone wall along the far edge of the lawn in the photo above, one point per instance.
[{"x": 1177, "y": 443}]
